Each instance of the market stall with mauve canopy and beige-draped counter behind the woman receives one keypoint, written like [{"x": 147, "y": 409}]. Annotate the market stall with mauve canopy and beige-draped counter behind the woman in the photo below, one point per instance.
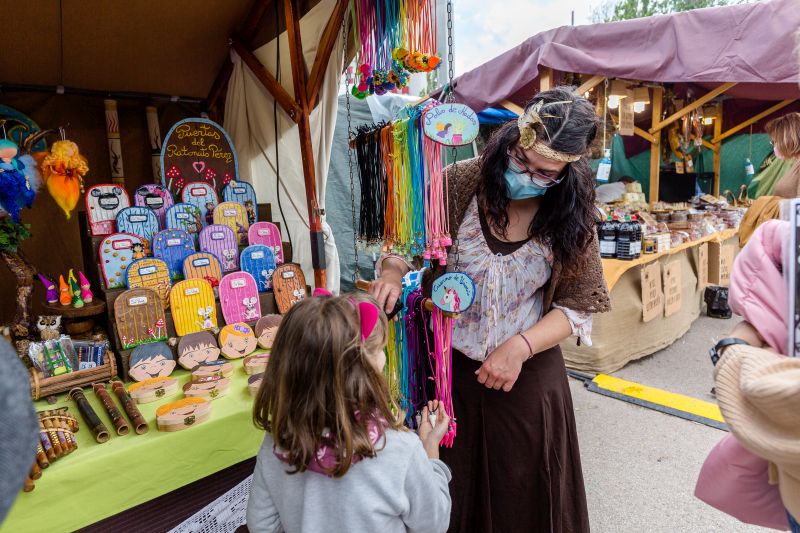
[{"x": 684, "y": 95}]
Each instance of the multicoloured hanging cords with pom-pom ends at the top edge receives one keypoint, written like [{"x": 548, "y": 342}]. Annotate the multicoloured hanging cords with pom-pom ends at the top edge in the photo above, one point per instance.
[{"x": 394, "y": 38}]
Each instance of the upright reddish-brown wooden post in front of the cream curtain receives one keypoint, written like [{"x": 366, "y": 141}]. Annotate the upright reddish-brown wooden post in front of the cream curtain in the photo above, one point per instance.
[{"x": 306, "y": 152}]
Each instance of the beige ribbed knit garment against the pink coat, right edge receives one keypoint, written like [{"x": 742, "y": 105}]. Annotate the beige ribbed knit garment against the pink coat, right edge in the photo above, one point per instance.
[{"x": 759, "y": 395}]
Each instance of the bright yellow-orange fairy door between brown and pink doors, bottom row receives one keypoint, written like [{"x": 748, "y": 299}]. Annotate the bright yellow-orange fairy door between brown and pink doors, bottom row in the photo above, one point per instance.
[{"x": 193, "y": 306}]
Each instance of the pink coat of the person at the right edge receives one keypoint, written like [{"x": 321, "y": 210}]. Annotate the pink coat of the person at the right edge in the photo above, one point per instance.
[{"x": 732, "y": 479}]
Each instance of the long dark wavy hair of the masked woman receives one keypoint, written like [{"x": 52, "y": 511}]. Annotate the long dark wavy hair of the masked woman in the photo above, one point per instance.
[{"x": 565, "y": 219}]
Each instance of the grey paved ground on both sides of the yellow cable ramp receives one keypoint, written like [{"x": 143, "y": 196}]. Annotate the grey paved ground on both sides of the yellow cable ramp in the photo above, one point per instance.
[{"x": 640, "y": 466}]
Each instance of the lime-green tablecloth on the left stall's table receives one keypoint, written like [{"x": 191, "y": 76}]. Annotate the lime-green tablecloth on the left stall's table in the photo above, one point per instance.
[{"x": 100, "y": 480}]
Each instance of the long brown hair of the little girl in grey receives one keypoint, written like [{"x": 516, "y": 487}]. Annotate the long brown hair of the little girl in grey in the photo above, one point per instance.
[{"x": 318, "y": 377}]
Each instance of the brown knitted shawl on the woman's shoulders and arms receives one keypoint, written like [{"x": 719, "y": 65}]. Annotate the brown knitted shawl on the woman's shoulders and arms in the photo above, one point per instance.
[{"x": 582, "y": 291}]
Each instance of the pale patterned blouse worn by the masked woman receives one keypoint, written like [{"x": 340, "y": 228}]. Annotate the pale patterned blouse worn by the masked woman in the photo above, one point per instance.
[{"x": 509, "y": 291}]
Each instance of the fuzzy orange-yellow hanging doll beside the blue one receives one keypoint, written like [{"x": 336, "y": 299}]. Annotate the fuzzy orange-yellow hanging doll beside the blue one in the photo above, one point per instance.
[{"x": 63, "y": 169}]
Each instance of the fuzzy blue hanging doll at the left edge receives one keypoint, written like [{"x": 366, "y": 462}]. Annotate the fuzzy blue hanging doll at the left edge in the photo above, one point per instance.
[{"x": 19, "y": 179}]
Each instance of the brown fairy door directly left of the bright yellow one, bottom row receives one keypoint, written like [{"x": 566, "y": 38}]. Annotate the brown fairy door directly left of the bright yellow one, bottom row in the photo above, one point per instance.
[{"x": 139, "y": 317}]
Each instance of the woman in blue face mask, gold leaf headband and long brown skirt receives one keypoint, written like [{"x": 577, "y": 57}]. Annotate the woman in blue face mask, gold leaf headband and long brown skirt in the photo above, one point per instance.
[{"x": 523, "y": 216}]
